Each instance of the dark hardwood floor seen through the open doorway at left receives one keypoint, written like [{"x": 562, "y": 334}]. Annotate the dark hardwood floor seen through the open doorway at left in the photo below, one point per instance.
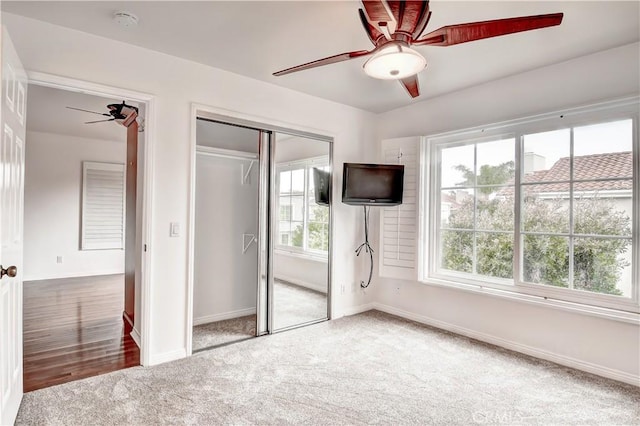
[{"x": 73, "y": 328}]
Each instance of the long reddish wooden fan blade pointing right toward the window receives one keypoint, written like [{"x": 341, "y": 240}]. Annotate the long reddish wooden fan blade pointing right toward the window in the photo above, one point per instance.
[{"x": 463, "y": 33}]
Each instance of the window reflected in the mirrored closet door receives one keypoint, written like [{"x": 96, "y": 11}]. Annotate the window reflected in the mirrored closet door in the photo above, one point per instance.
[{"x": 303, "y": 224}]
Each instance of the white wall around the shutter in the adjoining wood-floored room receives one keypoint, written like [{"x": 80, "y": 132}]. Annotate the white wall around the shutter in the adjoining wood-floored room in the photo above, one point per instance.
[{"x": 53, "y": 206}]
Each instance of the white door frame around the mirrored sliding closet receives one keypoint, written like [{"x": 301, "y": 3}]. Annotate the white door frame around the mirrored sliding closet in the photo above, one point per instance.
[{"x": 259, "y": 123}]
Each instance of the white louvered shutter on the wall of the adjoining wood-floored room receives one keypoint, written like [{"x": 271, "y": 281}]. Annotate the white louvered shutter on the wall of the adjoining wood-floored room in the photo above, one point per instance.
[{"x": 103, "y": 206}]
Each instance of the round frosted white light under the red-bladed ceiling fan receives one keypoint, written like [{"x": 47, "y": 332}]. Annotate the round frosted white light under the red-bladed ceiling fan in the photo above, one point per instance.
[{"x": 394, "y": 61}]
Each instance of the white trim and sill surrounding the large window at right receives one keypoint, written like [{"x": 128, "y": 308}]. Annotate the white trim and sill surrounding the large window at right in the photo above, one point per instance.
[{"x": 625, "y": 309}]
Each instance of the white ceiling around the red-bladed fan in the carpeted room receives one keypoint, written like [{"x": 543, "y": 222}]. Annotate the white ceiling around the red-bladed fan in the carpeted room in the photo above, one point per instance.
[{"x": 257, "y": 38}]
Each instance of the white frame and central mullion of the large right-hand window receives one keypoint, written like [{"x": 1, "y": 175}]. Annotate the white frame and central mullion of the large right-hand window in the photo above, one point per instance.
[{"x": 430, "y": 271}]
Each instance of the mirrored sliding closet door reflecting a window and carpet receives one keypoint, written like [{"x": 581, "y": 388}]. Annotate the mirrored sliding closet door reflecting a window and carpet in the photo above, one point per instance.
[{"x": 300, "y": 221}]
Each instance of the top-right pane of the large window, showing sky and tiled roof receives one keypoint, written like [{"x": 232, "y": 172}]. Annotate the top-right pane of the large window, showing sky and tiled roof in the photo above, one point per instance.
[{"x": 603, "y": 150}]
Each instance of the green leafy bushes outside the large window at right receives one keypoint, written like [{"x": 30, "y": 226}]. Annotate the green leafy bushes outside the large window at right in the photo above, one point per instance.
[{"x": 597, "y": 262}]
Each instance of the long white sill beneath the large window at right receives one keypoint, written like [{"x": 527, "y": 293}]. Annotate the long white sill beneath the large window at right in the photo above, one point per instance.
[{"x": 595, "y": 311}]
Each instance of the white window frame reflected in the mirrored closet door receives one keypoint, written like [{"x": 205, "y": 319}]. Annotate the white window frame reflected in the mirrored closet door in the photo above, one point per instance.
[{"x": 307, "y": 165}]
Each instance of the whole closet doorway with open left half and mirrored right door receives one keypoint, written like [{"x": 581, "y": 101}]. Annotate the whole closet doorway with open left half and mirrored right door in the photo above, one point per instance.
[{"x": 289, "y": 219}]
